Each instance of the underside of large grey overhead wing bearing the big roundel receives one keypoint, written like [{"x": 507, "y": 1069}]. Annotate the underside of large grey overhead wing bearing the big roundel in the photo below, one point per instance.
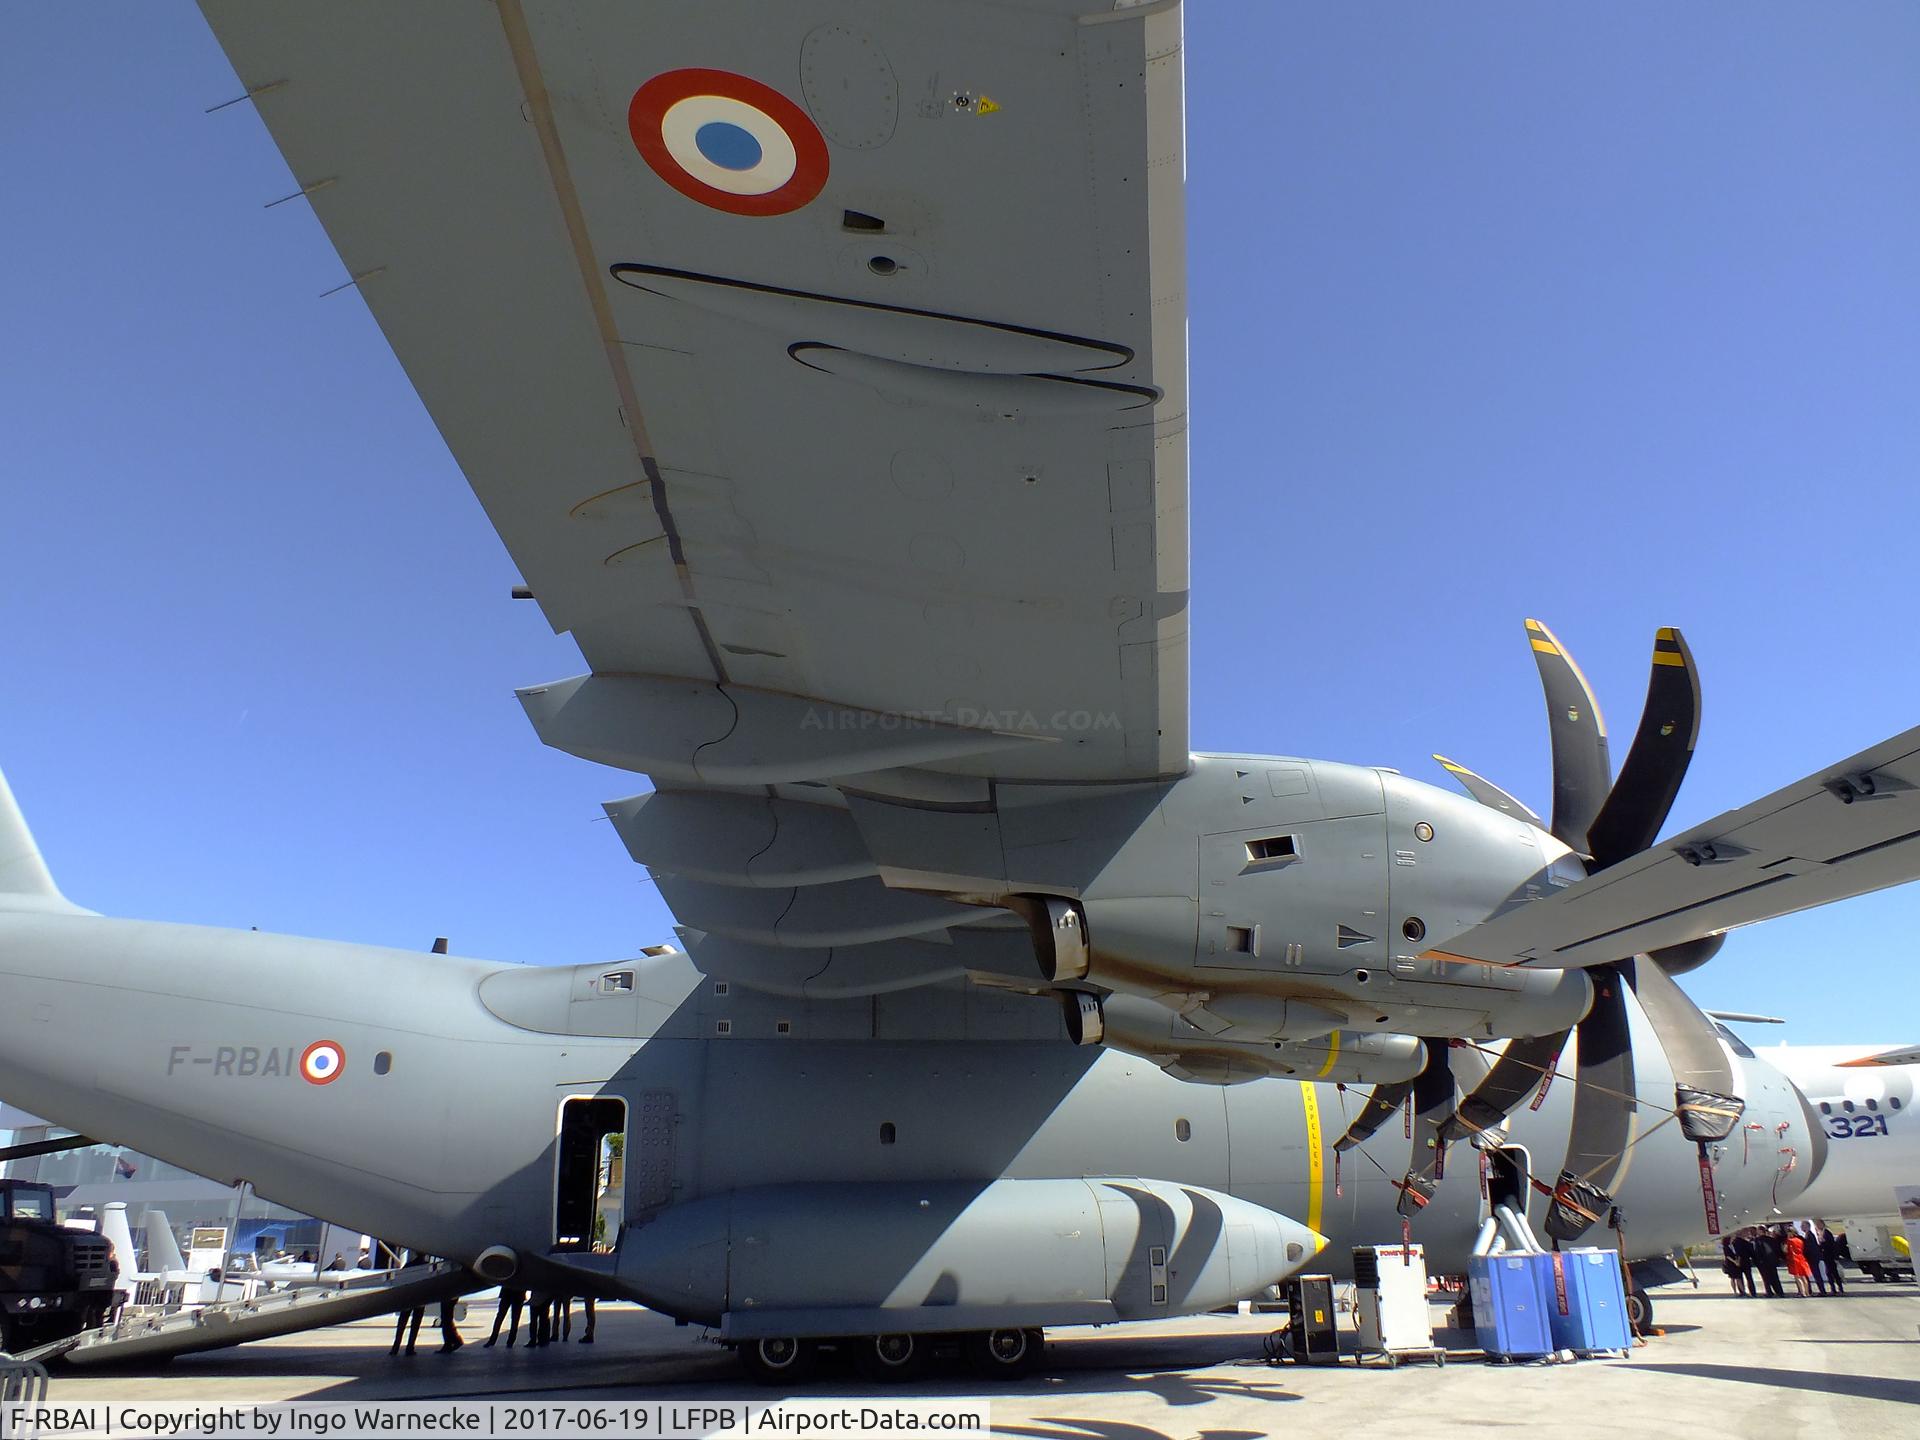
[{"x": 827, "y": 379}]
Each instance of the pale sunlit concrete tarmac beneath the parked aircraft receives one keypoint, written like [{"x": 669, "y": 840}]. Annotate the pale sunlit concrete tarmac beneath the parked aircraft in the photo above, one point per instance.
[{"x": 1725, "y": 1366}]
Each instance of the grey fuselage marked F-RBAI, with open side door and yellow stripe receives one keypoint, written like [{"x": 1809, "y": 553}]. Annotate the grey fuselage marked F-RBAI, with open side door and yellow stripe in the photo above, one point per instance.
[{"x": 441, "y": 1126}]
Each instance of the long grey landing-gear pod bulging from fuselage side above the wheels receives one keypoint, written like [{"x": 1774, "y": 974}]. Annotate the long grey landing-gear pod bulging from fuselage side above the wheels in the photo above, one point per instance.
[{"x": 813, "y": 1260}]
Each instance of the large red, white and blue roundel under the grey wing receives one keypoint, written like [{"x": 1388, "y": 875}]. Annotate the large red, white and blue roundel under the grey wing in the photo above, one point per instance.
[{"x": 729, "y": 141}]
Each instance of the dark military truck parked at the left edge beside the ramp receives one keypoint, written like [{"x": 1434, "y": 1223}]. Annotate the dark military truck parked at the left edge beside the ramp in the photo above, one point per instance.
[{"x": 55, "y": 1282}]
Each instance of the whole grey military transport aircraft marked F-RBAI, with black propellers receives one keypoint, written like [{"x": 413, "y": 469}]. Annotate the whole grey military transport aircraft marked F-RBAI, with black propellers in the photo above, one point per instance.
[{"x": 996, "y": 1007}]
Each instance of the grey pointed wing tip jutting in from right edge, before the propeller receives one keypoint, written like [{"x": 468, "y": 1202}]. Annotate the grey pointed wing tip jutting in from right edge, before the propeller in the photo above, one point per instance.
[{"x": 1846, "y": 830}]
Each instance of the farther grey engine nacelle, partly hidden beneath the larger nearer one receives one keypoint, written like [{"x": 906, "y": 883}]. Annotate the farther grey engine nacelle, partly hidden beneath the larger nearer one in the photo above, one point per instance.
[{"x": 1186, "y": 1051}]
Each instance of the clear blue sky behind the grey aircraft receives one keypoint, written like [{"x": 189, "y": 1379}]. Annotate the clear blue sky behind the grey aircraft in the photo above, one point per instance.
[{"x": 1604, "y": 314}]
